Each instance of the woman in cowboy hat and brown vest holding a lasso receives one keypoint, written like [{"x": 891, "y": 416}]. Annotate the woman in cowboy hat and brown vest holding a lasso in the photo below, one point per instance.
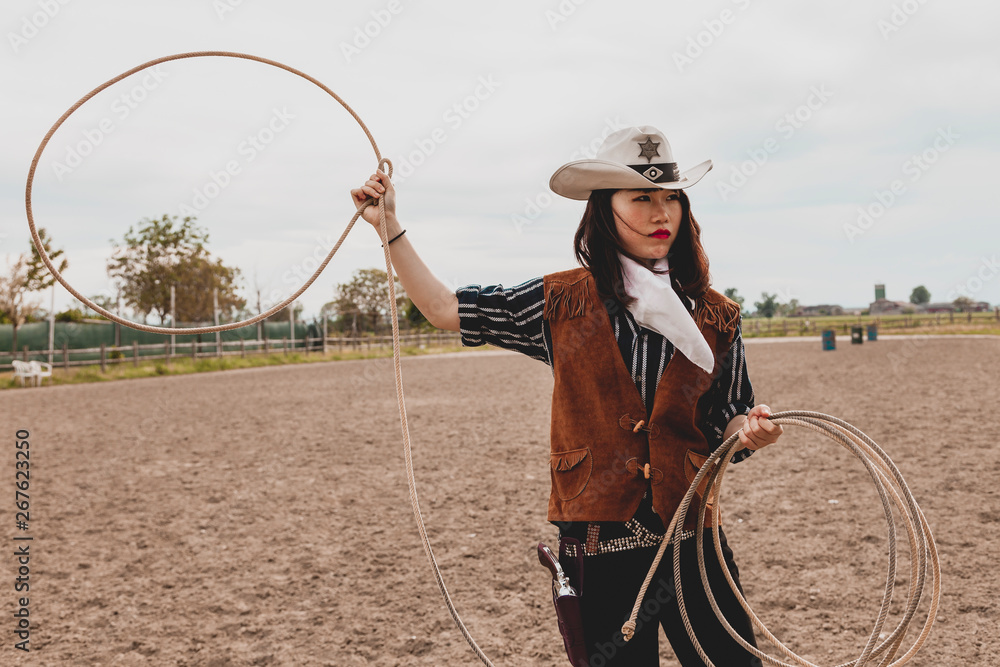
[{"x": 649, "y": 379}]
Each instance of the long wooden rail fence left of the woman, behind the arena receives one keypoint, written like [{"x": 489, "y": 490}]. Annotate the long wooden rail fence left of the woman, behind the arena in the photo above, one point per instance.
[{"x": 192, "y": 349}]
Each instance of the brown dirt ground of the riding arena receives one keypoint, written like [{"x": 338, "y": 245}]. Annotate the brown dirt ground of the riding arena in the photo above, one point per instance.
[{"x": 261, "y": 517}]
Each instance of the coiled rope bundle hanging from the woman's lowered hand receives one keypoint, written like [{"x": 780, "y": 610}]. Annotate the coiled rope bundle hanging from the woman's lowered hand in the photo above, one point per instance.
[{"x": 892, "y": 490}]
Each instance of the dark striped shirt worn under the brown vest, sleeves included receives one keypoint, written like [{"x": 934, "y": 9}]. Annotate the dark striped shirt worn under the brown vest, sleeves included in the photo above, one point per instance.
[{"x": 511, "y": 318}]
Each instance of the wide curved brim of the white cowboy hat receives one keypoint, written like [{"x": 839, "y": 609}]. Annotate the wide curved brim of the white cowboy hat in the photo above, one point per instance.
[{"x": 576, "y": 180}]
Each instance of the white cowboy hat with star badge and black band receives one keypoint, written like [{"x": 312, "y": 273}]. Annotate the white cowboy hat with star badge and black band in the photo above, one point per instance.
[{"x": 634, "y": 158}]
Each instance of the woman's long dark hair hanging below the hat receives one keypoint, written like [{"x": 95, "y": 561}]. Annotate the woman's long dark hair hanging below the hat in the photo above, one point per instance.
[{"x": 597, "y": 245}]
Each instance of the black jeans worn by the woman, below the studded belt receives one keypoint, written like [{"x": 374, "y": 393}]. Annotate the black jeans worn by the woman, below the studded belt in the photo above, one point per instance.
[{"x": 611, "y": 583}]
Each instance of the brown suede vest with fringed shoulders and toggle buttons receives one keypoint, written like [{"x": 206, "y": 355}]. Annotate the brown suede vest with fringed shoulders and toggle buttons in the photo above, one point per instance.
[{"x": 597, "y": 458}]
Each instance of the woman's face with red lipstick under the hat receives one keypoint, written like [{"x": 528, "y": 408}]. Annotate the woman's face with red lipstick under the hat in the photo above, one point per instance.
[{"x": 647, "y": 220}]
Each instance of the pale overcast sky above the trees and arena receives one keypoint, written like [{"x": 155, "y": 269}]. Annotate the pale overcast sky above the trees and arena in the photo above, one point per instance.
[{"x": 854, "y": 142}]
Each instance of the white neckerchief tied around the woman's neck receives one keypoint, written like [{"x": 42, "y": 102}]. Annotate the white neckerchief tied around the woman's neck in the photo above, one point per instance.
[{"x": 658, "y": 307}]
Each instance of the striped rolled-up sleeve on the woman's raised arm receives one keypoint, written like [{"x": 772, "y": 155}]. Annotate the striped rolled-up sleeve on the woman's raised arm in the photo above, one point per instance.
[{"x": 510, "y": 318}]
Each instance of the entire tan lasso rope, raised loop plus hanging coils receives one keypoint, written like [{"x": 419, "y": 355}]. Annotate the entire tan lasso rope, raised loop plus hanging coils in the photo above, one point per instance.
[{"x": 885, "y": 475}]
